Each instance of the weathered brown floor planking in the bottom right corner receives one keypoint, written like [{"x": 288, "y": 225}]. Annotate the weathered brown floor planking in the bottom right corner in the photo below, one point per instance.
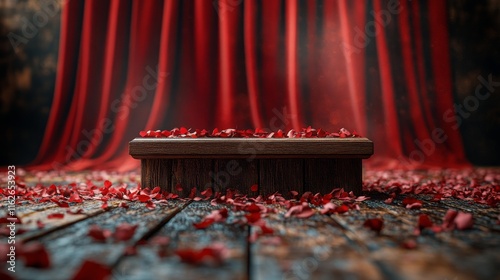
[{"x": 445, "y": 255}]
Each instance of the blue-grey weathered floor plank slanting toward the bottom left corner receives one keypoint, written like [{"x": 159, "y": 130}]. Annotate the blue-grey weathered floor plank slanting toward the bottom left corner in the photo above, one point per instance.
[{"x": 70, "y": 246}]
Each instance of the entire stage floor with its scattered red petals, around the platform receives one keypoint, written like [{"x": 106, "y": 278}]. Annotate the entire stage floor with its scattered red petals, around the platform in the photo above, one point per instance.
[{"x": 157, "y": 238}]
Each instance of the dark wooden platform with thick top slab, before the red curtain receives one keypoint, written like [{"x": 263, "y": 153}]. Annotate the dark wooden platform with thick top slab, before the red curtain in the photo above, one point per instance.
[{"x": 274, "y": 165}]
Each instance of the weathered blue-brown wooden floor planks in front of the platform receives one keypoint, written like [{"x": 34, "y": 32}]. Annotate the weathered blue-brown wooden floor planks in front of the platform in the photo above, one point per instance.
[{"x": 167, "y": 245}]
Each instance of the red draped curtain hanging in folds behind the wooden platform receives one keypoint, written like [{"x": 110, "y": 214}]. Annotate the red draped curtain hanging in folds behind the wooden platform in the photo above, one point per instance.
[{"x": 380, "y": 67}]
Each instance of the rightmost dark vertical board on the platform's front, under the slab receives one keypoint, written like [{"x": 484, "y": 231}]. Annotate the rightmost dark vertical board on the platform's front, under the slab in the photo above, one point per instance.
[{"x": 323, "y": 175}]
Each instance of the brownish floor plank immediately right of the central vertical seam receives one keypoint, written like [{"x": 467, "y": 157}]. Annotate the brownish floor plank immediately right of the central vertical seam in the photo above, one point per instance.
[{"x": 313, "y": 248}]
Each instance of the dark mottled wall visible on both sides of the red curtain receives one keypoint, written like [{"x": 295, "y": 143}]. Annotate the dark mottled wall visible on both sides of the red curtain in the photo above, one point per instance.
[{"x": 27, "y": 78}]
